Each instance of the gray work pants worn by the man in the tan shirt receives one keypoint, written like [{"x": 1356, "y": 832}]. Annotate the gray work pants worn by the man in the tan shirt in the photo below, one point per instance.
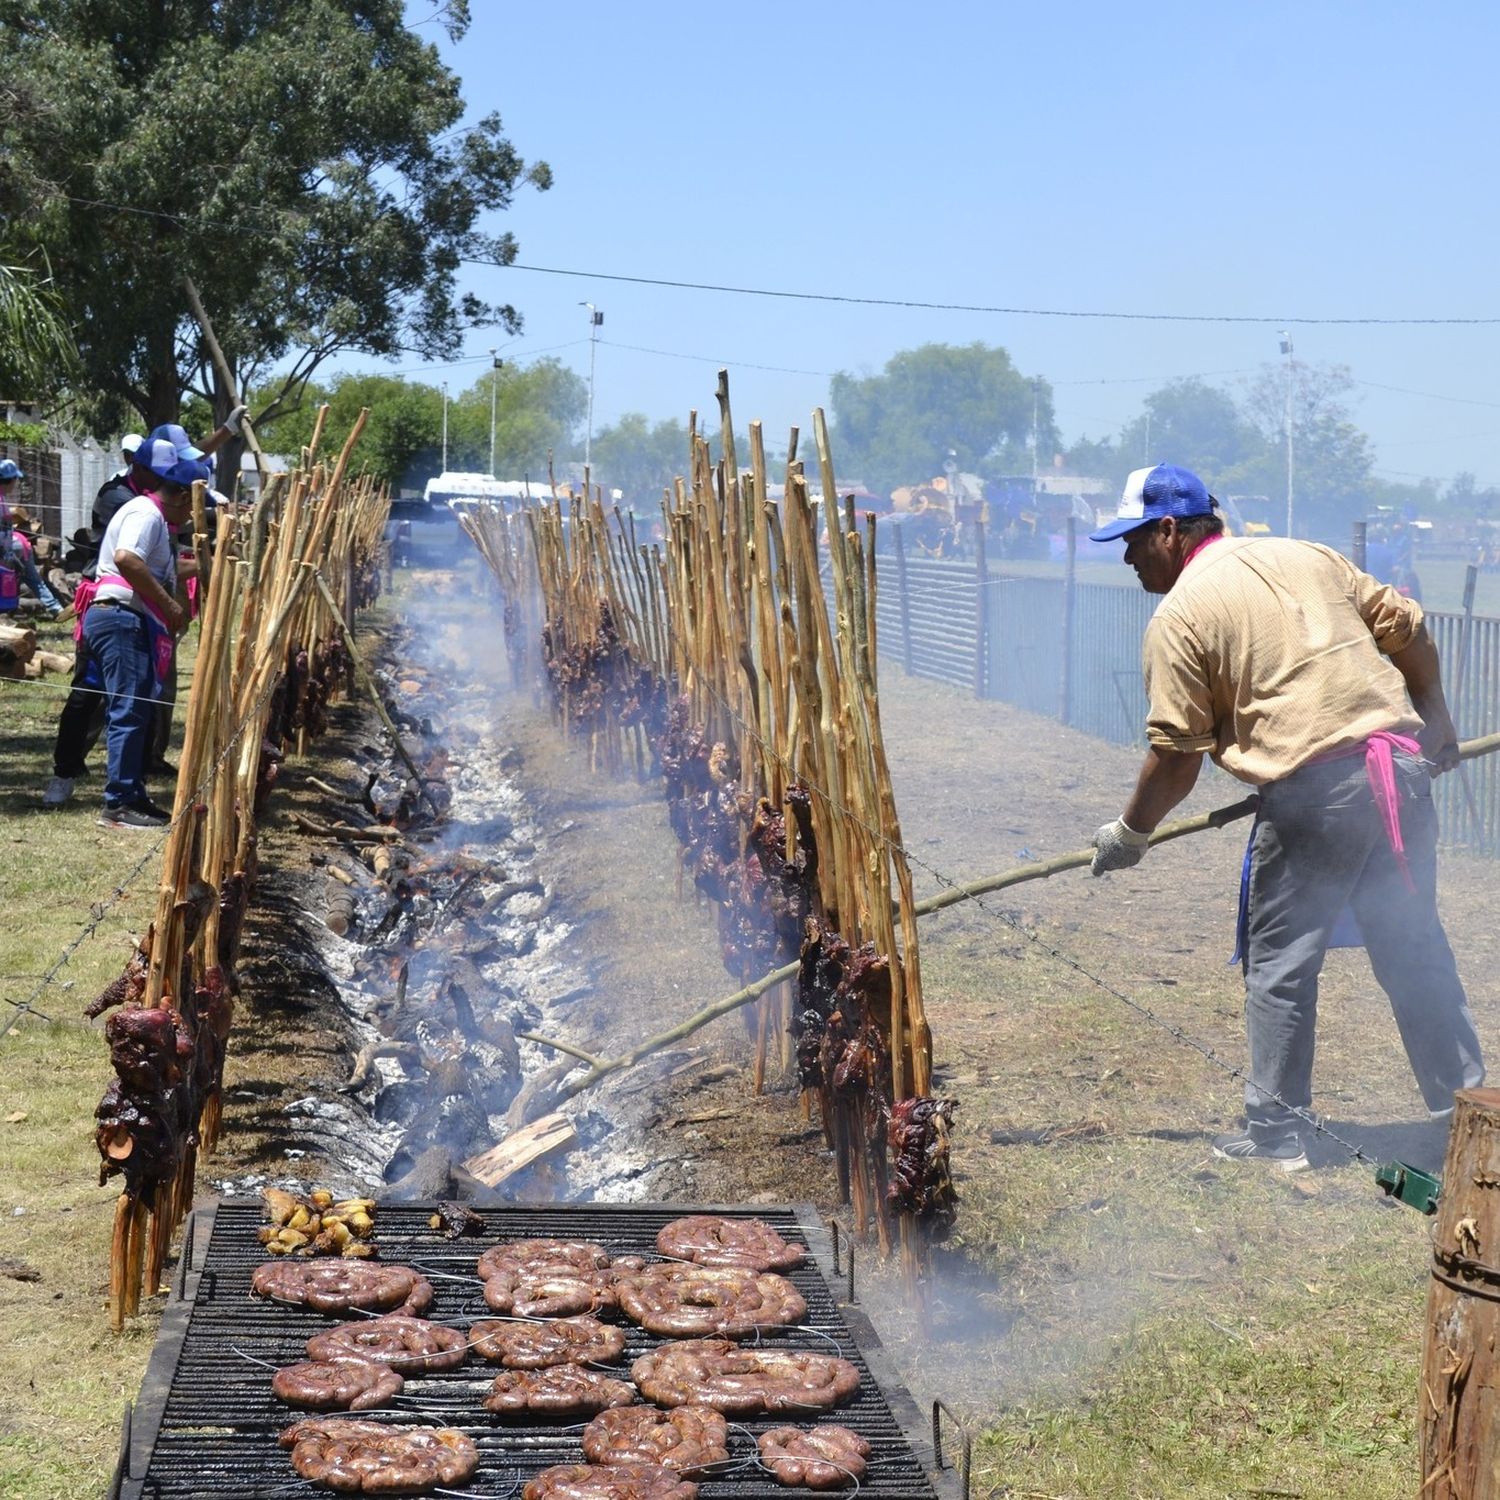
[{"x": 1321, "y": 844}]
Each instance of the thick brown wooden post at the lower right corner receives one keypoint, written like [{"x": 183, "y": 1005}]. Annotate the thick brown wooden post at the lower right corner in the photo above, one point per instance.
[{"x": 1460, "y": 1366}]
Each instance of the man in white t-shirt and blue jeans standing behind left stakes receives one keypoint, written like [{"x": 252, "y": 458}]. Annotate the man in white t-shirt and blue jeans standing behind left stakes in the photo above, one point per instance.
[{"x": 133, "y": 623}]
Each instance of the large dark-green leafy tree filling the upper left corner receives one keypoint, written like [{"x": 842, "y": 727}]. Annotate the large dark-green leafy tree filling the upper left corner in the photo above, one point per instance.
[{"x": 296, "y": 158}]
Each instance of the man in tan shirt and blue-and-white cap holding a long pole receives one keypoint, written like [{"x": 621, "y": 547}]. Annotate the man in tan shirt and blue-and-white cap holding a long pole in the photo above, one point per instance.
[{"x": 1319, "y": 686}]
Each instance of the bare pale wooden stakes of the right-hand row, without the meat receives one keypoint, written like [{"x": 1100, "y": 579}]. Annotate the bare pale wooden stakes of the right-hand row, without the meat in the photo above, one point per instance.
[{"x": 754, "y": 623}]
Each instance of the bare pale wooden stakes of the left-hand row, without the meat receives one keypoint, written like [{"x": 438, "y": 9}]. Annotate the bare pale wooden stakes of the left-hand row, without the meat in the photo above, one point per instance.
[{"x": 278, "y": 583}]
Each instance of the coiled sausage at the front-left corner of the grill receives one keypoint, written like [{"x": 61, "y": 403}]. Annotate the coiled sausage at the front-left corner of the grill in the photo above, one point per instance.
[{"x": 374, "y": 1459}]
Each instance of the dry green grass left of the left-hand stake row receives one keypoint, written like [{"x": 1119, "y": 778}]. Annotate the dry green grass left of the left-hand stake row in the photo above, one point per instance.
[{"x": 59, "y": 883}]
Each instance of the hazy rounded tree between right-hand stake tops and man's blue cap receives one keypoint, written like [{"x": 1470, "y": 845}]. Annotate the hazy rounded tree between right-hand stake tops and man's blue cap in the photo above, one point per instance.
[{"x": 896, "y": 428}]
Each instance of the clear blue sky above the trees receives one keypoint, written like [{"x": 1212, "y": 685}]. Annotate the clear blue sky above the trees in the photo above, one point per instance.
[{"x": 1306, "y": 161}]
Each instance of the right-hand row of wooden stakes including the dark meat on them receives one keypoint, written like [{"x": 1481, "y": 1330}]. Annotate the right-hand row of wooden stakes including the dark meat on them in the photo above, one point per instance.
[{"x": 715, "y": 653}]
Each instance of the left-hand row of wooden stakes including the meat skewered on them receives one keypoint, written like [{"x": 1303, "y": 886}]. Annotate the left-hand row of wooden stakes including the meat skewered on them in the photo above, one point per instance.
[{"x": 283, "y": 581}]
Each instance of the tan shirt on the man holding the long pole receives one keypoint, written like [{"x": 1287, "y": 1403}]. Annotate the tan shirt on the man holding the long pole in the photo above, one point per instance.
[{"x": 1270, "y": 653}]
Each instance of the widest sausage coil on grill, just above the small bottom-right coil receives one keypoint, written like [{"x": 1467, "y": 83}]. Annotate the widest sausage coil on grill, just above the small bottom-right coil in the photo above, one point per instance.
[{"x": 713, "y": 1372}]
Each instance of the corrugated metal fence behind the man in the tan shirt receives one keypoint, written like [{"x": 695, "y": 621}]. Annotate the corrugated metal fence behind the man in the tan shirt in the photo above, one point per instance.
[{"x": 1072, "y": 652}]
